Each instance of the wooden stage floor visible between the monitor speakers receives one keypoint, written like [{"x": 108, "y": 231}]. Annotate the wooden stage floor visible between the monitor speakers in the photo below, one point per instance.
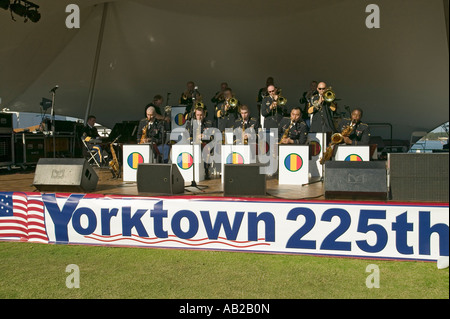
[{"x": 22, "y": 181}]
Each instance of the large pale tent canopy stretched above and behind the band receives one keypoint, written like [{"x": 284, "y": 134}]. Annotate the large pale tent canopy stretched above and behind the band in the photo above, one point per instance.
[{"x": 397, "y": 74}]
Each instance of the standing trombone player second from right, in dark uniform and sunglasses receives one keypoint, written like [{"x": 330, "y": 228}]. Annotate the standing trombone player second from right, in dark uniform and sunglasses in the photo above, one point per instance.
[{"x": 271, "y": 109}]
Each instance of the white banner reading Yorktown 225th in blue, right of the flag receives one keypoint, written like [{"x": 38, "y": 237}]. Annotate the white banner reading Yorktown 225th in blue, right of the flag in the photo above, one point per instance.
[{"x": 365, "y": 229}]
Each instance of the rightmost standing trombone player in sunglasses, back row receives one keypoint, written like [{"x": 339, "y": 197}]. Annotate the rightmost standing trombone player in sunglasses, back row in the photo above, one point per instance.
[{"x": 321, "y": 111}]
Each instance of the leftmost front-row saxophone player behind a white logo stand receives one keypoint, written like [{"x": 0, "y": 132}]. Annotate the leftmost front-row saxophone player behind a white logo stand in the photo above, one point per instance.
[{"x": 150, "y": 130}]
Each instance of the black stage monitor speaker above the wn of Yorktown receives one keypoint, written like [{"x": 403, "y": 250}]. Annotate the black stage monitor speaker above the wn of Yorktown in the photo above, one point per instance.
[{"x": 244, "y": 180}]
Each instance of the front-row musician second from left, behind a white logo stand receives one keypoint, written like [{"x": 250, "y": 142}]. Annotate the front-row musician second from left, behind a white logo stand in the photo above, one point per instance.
[{"x": 196, "y": 128}]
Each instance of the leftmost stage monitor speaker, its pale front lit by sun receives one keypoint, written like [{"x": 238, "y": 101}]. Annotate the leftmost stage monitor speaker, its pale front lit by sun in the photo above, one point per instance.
[{"x": 64, "y": 175}]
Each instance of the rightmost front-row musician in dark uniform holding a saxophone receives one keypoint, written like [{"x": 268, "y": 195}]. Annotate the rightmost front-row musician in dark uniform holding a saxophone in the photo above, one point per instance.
[{"x": 361, "y": 132}]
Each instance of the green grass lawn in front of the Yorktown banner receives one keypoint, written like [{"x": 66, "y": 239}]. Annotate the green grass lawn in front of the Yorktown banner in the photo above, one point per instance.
[{"x": 39, "y": 271}]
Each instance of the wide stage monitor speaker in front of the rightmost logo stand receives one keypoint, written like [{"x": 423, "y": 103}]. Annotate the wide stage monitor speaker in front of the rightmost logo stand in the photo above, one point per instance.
[{"x": 351, "y": 180}]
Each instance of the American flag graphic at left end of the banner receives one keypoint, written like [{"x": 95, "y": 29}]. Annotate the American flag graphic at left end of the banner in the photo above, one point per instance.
[{"x": 22, "y": 217}]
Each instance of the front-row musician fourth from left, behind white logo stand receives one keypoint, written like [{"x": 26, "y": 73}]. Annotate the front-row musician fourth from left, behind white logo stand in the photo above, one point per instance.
[{"x": 293, "y": 130}]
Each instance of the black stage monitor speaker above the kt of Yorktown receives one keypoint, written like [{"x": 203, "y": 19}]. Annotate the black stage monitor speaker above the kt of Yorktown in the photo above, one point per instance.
[{"x": 159, "y": 179}]
